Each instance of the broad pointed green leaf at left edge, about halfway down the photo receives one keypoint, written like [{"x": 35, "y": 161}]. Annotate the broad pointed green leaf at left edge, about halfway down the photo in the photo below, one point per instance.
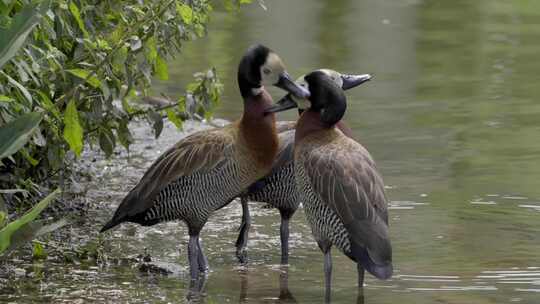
[{"x": 15, "y": 134}]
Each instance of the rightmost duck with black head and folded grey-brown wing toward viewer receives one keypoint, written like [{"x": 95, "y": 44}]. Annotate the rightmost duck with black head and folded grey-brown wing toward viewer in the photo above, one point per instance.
[{"x": 338, "y": 183}]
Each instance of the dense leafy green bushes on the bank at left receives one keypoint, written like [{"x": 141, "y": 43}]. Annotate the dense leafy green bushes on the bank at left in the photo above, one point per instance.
[{"x": 73, "y": 74}]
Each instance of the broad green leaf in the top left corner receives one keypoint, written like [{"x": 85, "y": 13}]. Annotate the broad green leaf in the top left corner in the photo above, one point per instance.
[{"x": 13, "y": 37}]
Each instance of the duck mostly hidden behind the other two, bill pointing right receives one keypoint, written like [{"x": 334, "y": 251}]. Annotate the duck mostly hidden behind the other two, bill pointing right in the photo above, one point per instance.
[{"x": 278, "y": 189}]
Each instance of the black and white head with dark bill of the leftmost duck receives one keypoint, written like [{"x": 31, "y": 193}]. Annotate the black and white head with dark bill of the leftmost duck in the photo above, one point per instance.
[{"x": 261, "y": 66}]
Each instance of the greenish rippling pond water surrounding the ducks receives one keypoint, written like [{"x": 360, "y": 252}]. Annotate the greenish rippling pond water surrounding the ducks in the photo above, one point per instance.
[{"x": 451, "y": 117}]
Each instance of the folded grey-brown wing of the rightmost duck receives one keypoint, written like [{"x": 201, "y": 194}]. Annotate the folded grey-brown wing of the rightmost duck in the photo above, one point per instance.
[{"x": 346, "y": 178}]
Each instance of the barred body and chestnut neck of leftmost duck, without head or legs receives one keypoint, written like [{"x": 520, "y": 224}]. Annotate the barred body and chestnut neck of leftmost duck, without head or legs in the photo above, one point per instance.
[{"x": 211, "y": 166}]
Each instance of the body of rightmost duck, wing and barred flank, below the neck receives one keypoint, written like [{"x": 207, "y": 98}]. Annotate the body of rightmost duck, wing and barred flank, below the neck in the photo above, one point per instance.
[{"x": 345, "y": 201}]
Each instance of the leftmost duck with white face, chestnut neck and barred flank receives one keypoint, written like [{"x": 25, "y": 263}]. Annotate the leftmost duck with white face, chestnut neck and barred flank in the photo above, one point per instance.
[{"x": 206, "y": 170}]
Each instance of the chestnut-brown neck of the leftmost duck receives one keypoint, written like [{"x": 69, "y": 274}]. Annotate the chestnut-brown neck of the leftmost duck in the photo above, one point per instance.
[{"x": 259, "y": 129}]
